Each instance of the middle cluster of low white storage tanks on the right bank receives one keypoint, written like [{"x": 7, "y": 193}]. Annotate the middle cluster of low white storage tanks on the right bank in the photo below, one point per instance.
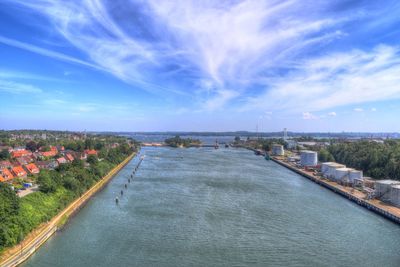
[{"x": 339, "y": 172}]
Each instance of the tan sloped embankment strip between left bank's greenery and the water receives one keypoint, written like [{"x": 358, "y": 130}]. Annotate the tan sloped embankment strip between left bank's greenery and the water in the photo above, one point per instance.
[{"x": 19, "y": 253}]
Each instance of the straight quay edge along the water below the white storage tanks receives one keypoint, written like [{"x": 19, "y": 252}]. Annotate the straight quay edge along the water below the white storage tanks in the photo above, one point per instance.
[{"x": 389, "y": 212}]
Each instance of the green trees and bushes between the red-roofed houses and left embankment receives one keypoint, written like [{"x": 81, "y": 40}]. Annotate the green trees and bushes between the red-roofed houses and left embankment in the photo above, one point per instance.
[{"x": 57, "y": 188}]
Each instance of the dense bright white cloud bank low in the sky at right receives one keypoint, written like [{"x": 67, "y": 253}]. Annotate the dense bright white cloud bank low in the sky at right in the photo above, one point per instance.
[{"x": 334, "y": 80}]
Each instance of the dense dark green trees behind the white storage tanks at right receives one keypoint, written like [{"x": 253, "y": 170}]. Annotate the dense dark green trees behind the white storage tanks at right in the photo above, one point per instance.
[{"x": 377, "y": 160}]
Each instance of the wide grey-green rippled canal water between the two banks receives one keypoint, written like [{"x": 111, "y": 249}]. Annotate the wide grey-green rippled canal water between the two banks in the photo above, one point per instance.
[{"x": 224, "y": 207}]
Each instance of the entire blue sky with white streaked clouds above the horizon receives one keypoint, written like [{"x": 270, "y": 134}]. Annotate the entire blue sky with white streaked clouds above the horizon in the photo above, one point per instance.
[{"x": 136, "y": 65}]
